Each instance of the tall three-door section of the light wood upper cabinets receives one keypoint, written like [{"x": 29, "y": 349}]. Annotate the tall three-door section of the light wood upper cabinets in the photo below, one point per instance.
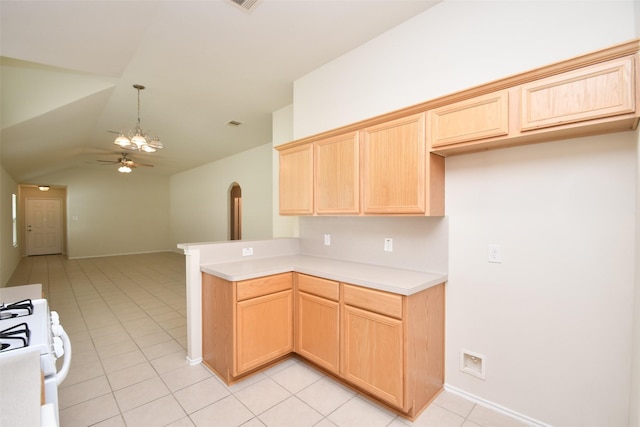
[{"x": 384, "y": 169}]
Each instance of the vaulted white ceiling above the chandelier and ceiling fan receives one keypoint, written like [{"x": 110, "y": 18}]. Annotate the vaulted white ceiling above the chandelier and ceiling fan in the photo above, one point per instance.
[{"x": 67, "y": 70}]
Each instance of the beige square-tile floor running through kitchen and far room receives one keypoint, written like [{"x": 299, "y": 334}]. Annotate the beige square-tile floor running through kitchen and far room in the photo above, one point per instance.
[{"x": 126, "y": 319}]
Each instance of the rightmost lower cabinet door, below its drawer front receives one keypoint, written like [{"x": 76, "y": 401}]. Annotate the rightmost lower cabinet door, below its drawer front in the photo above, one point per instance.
[{"x": 373, "y": 356}]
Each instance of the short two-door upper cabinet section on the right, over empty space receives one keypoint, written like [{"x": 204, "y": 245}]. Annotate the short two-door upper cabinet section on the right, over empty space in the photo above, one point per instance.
[{"x": 583, "y": 96}]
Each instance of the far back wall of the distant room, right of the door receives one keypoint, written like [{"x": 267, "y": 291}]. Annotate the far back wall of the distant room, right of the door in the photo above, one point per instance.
[{"x": 111, "y": 213}]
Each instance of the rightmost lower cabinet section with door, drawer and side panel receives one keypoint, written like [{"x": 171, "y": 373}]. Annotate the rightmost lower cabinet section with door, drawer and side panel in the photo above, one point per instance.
[{"x": 393, "y": 345}]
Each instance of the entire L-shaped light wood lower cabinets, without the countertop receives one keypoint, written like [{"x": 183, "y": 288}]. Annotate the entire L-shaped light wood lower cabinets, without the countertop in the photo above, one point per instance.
[{"x": 389, "y": 346}]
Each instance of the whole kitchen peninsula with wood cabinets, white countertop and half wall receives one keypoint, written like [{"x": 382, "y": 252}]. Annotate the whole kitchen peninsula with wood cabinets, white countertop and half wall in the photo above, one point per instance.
[{"x": 376, "y": 328}]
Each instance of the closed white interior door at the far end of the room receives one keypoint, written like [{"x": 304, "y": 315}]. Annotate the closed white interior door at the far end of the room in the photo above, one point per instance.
[{"x": 44, "y": 226}]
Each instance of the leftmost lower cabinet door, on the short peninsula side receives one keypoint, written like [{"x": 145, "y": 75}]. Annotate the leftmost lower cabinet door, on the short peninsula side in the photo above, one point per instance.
[{"x": 264, "y": 330}]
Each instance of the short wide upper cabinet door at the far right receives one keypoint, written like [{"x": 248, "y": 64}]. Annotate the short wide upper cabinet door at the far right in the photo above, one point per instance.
[{"x": 593, "y": 92}]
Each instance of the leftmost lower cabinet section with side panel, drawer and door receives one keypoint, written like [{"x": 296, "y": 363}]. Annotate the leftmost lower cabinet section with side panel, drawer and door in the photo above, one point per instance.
[{"x": 246, "y": 324}]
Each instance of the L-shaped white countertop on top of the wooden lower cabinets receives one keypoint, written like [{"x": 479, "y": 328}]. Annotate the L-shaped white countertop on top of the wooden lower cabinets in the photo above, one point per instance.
[{"x": 399, "y": 281}]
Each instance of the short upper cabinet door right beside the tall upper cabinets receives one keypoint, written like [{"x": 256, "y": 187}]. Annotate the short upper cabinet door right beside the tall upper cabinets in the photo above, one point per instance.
[{"x": 469, "y": 120}]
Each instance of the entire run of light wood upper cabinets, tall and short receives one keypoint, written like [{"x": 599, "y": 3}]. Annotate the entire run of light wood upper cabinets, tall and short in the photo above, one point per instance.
[{"x": 393, "y": 164}]
